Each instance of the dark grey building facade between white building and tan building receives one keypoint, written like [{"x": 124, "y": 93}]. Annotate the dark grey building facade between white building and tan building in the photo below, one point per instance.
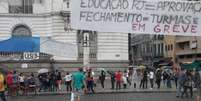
[{"x": 146, "y": 49}]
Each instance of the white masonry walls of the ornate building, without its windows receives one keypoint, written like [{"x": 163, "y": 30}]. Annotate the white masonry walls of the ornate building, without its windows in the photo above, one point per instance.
[{"x": 47, "y": 20}]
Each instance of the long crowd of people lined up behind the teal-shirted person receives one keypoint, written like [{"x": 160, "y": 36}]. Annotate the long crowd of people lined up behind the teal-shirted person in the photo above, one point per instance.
[{"x": 183, "y": 80}]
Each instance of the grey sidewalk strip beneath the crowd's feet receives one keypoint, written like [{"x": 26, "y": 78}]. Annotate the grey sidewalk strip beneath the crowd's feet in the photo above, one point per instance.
[{"x": 107, "y": 90}]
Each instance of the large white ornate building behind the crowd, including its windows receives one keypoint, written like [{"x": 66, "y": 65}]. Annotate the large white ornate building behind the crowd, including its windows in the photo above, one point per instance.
[{"x": 51, "y": 18}]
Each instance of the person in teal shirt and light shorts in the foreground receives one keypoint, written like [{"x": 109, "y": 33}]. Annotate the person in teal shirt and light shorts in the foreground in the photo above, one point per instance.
[{"x": 78, "y": 80}]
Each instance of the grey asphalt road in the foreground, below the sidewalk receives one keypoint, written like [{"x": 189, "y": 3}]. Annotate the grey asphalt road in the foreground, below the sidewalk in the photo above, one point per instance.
[{"x": 107, "y": 97}]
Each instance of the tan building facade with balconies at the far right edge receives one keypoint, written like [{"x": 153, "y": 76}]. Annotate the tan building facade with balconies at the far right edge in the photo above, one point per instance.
[{"x": 188, "y": 48}]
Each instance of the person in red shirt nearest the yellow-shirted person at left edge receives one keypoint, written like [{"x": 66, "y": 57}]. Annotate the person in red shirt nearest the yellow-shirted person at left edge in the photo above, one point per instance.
[{"x": 9, "y": 79}]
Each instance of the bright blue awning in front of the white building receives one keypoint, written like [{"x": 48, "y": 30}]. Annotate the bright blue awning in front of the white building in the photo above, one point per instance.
[{"x": 20, "y": 44}]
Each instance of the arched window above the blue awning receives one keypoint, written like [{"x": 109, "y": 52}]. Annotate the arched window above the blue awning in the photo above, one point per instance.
[{"x": 21, "y": 30}]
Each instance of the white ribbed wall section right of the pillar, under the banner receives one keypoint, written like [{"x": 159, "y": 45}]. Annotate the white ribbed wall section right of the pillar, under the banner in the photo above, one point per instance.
[{"x": 112, "y": 46}]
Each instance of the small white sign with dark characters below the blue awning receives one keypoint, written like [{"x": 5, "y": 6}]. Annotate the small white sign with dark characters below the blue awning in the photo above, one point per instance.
[{"x": 30, "y": 56}]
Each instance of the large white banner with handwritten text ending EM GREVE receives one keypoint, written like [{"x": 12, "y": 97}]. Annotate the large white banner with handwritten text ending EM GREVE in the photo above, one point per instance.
[{"x": 138, "y": 16}]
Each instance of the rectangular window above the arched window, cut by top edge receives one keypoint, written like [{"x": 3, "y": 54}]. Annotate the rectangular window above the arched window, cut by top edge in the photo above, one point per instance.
[{"x": 21, "y": 6}]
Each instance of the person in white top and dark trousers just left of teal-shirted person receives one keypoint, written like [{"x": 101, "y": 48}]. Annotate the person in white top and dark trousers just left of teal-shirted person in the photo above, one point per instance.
[{"x": 68, "y": 80}]
